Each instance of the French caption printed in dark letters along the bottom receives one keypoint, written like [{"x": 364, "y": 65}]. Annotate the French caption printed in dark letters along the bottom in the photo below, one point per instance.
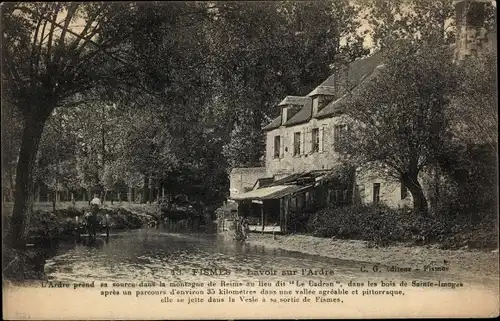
[{"x": 283, "y": 289}]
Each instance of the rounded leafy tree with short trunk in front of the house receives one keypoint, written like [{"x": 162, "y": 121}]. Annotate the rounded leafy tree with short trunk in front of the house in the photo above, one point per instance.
[{"x": 399, "y": 113}]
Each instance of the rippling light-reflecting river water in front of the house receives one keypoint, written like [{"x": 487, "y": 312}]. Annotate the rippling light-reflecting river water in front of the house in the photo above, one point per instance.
[{"x": 151, "y": 254}]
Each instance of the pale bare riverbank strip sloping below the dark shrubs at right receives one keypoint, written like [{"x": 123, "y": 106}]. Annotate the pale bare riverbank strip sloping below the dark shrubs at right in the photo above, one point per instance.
[{"x": 460, "y": 262}]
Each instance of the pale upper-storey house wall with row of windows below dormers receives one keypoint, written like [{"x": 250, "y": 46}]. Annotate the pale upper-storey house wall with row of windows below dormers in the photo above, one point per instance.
[{"x": 288, "y": 163}]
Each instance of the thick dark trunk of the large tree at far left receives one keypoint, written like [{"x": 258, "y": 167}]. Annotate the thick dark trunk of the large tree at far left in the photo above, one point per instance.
[{"x": 32, "y": 133}]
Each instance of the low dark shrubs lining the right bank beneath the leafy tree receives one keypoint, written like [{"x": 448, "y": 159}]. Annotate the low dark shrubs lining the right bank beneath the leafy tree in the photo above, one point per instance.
[{"x": 381, "y": 225}]
